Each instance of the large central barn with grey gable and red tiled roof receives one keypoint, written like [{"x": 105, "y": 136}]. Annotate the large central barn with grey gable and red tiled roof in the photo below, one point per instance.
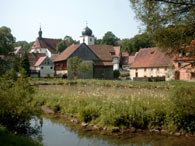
[{"x": 99, "y": 55}]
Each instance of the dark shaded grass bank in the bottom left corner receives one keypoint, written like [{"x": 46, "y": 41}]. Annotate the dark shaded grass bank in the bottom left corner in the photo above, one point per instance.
[{"x": 9, "y": 139}]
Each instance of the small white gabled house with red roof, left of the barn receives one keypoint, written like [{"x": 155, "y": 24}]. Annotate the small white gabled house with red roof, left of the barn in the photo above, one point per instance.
[{"x": 41, "y": 65}]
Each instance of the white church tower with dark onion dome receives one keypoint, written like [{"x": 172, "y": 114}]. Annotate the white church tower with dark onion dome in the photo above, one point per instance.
[{"x": 87, "y": 36}]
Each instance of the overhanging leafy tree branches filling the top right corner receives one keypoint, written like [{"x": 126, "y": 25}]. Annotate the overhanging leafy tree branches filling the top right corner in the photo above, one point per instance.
[{"x": 170, "y": 22}]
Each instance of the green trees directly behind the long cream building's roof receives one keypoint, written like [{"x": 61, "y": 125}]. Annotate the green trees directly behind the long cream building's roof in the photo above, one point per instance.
[{"x": 139, "y": 41}]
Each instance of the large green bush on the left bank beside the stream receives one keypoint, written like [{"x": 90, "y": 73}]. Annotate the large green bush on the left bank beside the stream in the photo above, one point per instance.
[{"x": 15, "y": 107}]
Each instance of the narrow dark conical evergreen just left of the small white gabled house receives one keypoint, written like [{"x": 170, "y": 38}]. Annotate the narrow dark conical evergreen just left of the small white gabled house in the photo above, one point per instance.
[{"x": 25, "y": 64}]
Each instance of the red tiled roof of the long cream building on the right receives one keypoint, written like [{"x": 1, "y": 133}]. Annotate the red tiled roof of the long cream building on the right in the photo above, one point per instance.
[{"x": 151, "y": 57}]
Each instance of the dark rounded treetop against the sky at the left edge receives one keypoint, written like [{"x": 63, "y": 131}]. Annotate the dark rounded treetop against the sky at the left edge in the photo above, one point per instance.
[{"x": 6, "y": 40}]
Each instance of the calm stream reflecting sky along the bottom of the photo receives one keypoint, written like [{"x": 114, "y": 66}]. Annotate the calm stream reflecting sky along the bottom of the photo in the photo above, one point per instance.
[{"x": 54, "y": 133}]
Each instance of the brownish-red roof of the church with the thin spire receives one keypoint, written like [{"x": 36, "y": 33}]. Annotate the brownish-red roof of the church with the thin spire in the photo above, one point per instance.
[{"x": 48, "y": 43}]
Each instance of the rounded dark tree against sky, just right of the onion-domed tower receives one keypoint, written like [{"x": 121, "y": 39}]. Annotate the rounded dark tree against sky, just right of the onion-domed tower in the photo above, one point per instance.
[{"x": 109, "y": 39}]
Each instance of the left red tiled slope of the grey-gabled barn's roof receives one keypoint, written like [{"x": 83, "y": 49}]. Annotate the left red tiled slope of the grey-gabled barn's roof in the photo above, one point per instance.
[{"x": 66, "y": 53}]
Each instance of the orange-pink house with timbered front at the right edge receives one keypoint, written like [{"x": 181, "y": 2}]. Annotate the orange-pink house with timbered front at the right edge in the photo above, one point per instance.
[{"x": 185, "y": 64}]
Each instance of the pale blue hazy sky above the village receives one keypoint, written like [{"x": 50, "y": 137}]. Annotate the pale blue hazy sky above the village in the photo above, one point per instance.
[{"x": 59, "y": 18}]
